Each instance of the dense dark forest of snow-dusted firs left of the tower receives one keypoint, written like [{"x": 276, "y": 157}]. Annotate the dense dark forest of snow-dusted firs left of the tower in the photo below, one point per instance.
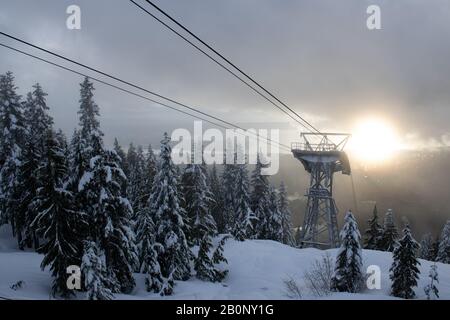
[{"x": 114, "y": 213}]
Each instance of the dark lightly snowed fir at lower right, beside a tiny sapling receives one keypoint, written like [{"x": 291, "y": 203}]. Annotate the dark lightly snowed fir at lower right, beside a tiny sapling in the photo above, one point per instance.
[{"x": 404, "y": 271}]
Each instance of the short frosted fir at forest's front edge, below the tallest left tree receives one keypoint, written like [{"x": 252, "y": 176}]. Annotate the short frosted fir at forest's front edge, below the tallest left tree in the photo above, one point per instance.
[{"x": 94, "y": 274}]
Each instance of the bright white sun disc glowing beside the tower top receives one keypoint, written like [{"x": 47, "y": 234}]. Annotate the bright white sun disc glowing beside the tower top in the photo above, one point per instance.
[{"x": 374, "y": 141}]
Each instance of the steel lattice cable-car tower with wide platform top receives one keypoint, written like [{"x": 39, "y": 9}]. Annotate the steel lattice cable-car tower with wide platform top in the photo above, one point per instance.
[{"x": 321, "y": 159}]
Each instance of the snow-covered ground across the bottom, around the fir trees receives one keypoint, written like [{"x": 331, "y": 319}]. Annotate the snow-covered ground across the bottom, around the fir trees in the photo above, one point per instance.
[{"x": 257, "y": 271}]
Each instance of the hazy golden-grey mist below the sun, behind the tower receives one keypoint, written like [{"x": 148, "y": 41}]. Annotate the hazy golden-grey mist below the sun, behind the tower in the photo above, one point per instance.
[{"x": 414, "y": 184}]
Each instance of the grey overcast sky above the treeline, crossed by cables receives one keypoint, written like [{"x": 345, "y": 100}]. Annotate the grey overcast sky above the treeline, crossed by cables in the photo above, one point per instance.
[{"x": 317, "y": 55}]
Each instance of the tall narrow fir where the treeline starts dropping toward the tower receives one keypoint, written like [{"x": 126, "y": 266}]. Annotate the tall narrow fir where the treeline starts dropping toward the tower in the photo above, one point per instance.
[{"x": 260, "y": 202}]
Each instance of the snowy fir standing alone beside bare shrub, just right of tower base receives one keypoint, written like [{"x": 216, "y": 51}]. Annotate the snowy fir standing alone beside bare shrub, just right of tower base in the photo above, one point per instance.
[{"x": 348, "y": 271}]
